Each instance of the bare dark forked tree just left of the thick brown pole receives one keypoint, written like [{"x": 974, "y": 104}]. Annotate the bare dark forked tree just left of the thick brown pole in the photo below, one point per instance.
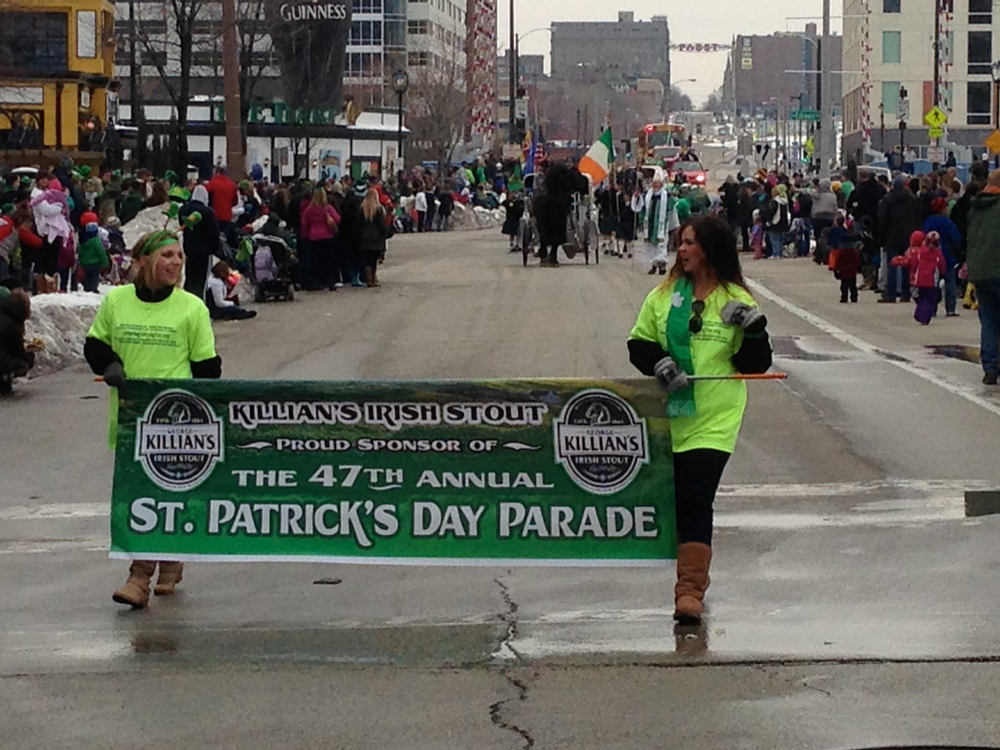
[{"x": 172, "y": 55}]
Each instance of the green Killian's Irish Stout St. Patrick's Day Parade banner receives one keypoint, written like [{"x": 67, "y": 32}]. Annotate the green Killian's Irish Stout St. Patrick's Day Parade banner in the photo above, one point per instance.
[{"x": 515, "y": 472}]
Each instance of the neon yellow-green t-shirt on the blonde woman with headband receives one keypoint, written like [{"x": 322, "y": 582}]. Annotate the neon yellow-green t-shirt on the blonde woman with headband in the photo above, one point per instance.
[{"x": 155, "y": 340}]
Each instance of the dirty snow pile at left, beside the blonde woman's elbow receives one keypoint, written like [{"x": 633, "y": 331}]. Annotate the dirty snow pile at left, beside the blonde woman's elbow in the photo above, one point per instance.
[{"x": 61, "y": 322}]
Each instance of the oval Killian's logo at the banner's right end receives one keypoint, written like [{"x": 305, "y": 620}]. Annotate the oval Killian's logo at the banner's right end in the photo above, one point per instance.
[{"x": 600, "y": 441}]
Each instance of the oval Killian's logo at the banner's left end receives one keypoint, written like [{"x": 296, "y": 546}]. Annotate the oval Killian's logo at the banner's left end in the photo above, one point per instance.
[{"x": 178, "y": 441}]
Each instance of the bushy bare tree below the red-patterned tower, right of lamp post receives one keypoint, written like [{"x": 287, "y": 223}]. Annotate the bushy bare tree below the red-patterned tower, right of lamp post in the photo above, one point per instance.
[{"x": 437, "y": 111}]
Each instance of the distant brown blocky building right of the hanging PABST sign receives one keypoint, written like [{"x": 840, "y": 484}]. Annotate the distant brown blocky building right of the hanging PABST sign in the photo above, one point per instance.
[{"x": 764, "y": 74}]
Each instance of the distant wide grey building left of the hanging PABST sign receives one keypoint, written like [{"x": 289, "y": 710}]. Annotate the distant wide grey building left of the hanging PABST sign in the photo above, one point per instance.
[{"x": 614, "y": 52}]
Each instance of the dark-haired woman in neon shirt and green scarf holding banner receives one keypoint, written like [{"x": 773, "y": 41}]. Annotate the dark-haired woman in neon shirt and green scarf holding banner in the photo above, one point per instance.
[{"x": 701, "y": 321}]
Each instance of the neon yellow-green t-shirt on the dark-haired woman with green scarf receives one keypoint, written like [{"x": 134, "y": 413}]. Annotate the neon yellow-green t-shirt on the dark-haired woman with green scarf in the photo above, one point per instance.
[{"x": 719, "y": 404}]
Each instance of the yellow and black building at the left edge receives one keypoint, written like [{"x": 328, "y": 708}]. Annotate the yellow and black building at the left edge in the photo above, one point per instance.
[{"x": 56, "y": 89}]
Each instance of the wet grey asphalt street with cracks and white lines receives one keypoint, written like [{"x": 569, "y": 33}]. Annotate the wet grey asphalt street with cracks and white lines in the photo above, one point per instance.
[{"x": 852, "y": 603}]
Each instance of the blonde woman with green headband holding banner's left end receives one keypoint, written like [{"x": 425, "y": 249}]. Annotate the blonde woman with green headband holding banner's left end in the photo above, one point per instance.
[{"x": 151, "y": 329}]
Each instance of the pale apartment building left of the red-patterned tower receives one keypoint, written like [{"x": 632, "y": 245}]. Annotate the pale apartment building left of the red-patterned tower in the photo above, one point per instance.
[{"x": 435, "y": 34}]
